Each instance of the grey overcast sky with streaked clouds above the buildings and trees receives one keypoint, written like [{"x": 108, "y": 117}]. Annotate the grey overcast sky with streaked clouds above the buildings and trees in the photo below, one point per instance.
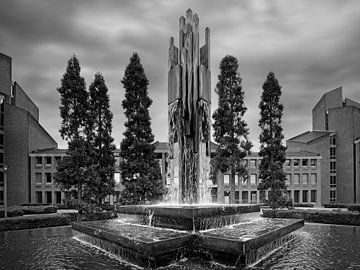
[{"x": 311, "y": 46}]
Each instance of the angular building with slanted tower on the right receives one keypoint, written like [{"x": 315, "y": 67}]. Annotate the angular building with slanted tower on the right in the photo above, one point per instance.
[{"x": 335, "y": 134}]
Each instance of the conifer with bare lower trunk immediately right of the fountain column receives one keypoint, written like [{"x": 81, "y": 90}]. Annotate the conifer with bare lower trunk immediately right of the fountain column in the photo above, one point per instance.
[{"x": 230, "y": 129}]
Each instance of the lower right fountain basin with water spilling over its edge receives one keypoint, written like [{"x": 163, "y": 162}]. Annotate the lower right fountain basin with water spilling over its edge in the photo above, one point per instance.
[{"x": 246, "y": 243}]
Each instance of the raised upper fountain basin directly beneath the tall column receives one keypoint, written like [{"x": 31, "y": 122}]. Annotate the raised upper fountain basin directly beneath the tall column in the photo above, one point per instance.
[{"x": 189, "y": 217}]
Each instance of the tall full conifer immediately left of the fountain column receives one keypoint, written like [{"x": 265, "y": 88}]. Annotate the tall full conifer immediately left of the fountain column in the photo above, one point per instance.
[{"x": 140, "y": 170}]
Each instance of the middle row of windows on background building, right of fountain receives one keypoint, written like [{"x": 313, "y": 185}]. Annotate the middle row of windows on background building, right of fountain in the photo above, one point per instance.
[{"x": 289, "y": 181}]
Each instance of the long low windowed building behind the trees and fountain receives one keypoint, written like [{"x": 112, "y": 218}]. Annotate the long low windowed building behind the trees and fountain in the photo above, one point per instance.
[{"x": 303, "y": 172}]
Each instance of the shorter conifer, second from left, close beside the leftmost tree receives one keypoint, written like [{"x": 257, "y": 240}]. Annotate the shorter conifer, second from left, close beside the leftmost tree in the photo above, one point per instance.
[{"x": 99, "y": 136}]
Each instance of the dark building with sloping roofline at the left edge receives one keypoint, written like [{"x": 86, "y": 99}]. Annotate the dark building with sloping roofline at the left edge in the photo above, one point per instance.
[{"x": 20, "y": 133}]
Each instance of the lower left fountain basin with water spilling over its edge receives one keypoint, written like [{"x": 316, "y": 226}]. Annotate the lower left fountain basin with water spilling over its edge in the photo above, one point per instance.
[{"x": 142, "y": 245}]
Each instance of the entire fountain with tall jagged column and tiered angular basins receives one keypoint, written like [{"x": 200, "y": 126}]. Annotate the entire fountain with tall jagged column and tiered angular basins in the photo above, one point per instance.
[{"x": 156, "y": 235}]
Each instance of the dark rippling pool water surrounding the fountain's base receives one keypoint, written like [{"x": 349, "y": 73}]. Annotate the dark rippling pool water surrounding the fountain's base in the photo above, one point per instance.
[{"x": 316, "y": 246}]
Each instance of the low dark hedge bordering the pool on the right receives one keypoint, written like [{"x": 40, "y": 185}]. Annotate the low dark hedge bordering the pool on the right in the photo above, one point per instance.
[{"x": 317, "y": 216}]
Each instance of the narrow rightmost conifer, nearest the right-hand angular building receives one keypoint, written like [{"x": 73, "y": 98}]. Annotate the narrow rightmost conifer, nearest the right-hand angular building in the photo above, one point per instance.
[{"x": 272, "y": 150}]
